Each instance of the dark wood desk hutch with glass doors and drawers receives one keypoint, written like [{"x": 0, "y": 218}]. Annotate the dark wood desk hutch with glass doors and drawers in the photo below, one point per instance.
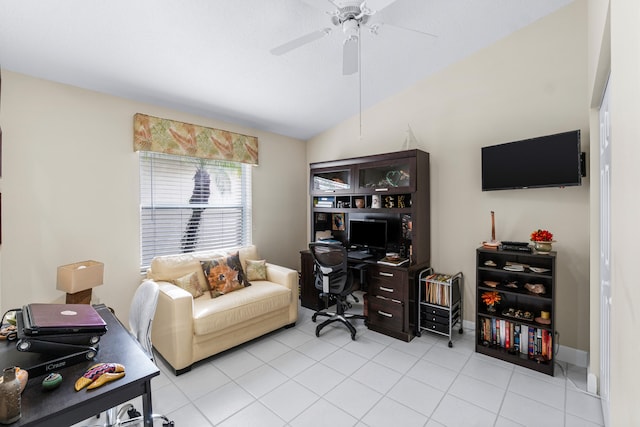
[{"x": 393, "y": 188}]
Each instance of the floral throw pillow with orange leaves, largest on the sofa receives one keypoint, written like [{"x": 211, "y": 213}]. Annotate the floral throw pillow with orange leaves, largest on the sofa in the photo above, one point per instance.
[{"x": 224, "y": 275}]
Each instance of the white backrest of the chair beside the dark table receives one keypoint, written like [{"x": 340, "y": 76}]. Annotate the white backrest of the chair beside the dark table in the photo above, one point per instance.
[{"x": 142, "y": 311}]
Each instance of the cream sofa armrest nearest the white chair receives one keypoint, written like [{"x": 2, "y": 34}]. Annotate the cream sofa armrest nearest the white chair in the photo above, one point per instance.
[{"x": 172, "y": 332}]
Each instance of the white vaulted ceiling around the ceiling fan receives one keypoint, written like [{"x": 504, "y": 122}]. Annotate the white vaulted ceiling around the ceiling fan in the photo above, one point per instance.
[{"x": 212, "y": 57}]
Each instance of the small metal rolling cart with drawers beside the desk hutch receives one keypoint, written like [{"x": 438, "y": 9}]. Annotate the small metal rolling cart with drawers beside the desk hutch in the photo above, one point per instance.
[{"x": 440, "y": 303}]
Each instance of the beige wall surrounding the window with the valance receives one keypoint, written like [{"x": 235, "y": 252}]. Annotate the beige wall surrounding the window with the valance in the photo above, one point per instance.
[{"x": 70, "y": 190}]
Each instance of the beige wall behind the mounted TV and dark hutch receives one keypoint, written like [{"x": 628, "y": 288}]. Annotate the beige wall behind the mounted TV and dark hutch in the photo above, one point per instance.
[{"x": 530, "y": 84}]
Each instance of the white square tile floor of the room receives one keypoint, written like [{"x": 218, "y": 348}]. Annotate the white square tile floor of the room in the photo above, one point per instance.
[{"x": 292, "y": 378}]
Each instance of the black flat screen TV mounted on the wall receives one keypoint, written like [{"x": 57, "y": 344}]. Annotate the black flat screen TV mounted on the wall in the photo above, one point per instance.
[{"x": 546, "y": 161}]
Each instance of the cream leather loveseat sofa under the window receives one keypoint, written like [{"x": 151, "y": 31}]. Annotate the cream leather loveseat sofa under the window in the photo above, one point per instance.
[{"x": 187, "y": 329}]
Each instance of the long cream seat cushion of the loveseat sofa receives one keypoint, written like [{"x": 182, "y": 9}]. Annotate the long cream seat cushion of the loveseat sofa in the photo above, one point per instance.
[{"x": 260, "y": 298}]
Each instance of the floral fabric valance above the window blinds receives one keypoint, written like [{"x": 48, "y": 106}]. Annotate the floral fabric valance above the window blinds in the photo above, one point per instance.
[{"x": 184, "y": 139}]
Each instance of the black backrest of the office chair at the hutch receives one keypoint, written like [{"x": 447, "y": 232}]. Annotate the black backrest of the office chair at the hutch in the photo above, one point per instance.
[{"x": 331, "y": 271}]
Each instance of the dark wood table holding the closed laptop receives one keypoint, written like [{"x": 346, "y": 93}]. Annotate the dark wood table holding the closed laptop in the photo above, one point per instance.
[{"x": 64, "y": 406}]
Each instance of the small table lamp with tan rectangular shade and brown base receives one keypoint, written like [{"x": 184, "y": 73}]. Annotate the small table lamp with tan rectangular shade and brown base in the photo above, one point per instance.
[{"x": 78, "y": 279}]
